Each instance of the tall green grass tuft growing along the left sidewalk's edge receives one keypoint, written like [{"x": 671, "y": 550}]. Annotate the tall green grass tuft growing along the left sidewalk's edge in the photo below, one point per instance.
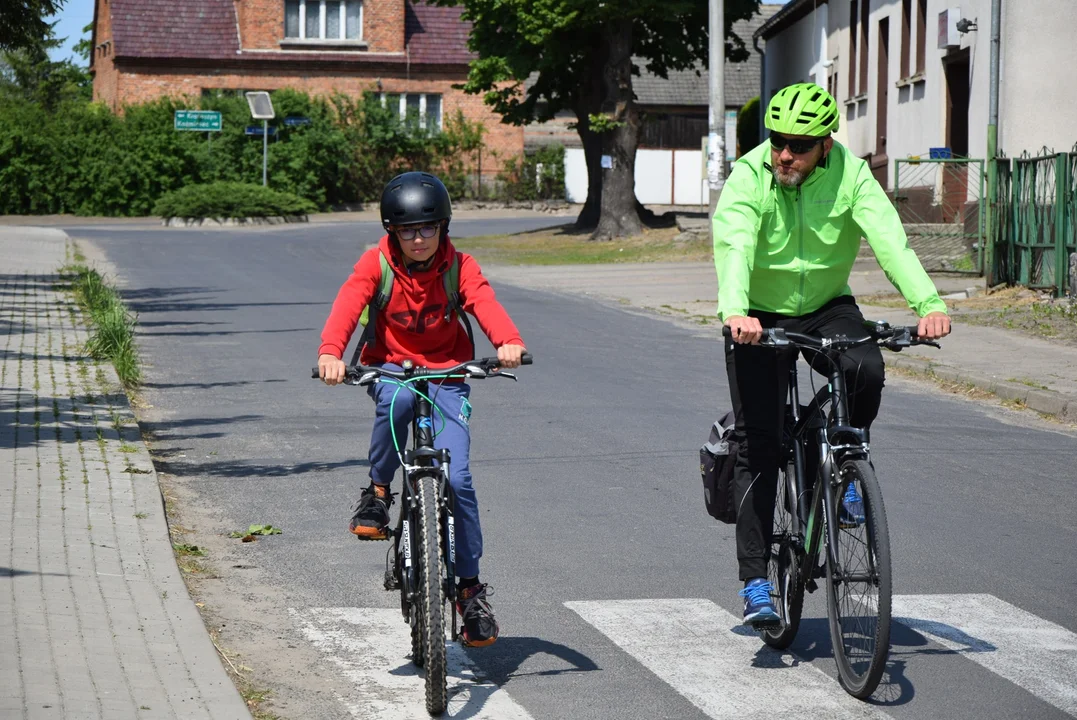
[{"x": 113, "y": 336}]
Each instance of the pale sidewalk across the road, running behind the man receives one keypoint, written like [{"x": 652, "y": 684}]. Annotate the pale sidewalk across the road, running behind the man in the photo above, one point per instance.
[{"x": 1004, "y": 362}]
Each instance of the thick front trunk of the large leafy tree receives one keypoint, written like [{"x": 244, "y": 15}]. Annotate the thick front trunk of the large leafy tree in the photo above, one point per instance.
[{"x": 619, "y": 217}]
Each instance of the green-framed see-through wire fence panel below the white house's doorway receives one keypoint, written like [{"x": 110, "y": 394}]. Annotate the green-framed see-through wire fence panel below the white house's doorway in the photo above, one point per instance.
[{"x": 939, "y": 201}]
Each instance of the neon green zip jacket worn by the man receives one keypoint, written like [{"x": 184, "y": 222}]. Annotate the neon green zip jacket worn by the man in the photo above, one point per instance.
[{"x": 791, "y": 250}]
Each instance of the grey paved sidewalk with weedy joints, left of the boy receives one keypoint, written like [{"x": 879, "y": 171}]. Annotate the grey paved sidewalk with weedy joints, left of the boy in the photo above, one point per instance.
[{"x": 96, "y": 620}]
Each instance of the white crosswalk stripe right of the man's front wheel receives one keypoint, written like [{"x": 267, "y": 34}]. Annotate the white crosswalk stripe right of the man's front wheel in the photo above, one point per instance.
[{"x": 1026, "y": 650}]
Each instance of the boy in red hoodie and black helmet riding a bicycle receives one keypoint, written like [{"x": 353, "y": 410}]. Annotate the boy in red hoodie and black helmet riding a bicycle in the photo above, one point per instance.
[{"x": 416, "y": 213}]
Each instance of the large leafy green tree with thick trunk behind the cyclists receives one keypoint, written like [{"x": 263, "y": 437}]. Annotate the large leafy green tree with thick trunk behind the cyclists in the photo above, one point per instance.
[{"x": 539, "y": 58}]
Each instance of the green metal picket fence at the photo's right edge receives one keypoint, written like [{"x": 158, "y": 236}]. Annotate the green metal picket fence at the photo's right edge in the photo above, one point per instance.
[{"x": 1036, "y": 220}]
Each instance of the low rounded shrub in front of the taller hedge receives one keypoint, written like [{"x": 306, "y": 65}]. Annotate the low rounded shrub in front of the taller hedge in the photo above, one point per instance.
[{"x": 231, "y": 200}]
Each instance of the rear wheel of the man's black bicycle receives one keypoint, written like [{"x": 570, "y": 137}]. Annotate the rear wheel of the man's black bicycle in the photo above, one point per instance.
[{"x": 784, "y": 569}]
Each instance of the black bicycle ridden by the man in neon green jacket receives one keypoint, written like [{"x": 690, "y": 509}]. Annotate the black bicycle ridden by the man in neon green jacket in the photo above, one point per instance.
[{"x": 822, "y": 451}]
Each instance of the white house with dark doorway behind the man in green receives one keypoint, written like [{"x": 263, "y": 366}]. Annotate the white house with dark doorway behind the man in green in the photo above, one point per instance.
[{"x": 915, "y": 75}]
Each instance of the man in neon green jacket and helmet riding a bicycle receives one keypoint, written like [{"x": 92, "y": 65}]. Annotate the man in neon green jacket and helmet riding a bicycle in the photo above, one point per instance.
[{"x": 787, "y": 233}]
